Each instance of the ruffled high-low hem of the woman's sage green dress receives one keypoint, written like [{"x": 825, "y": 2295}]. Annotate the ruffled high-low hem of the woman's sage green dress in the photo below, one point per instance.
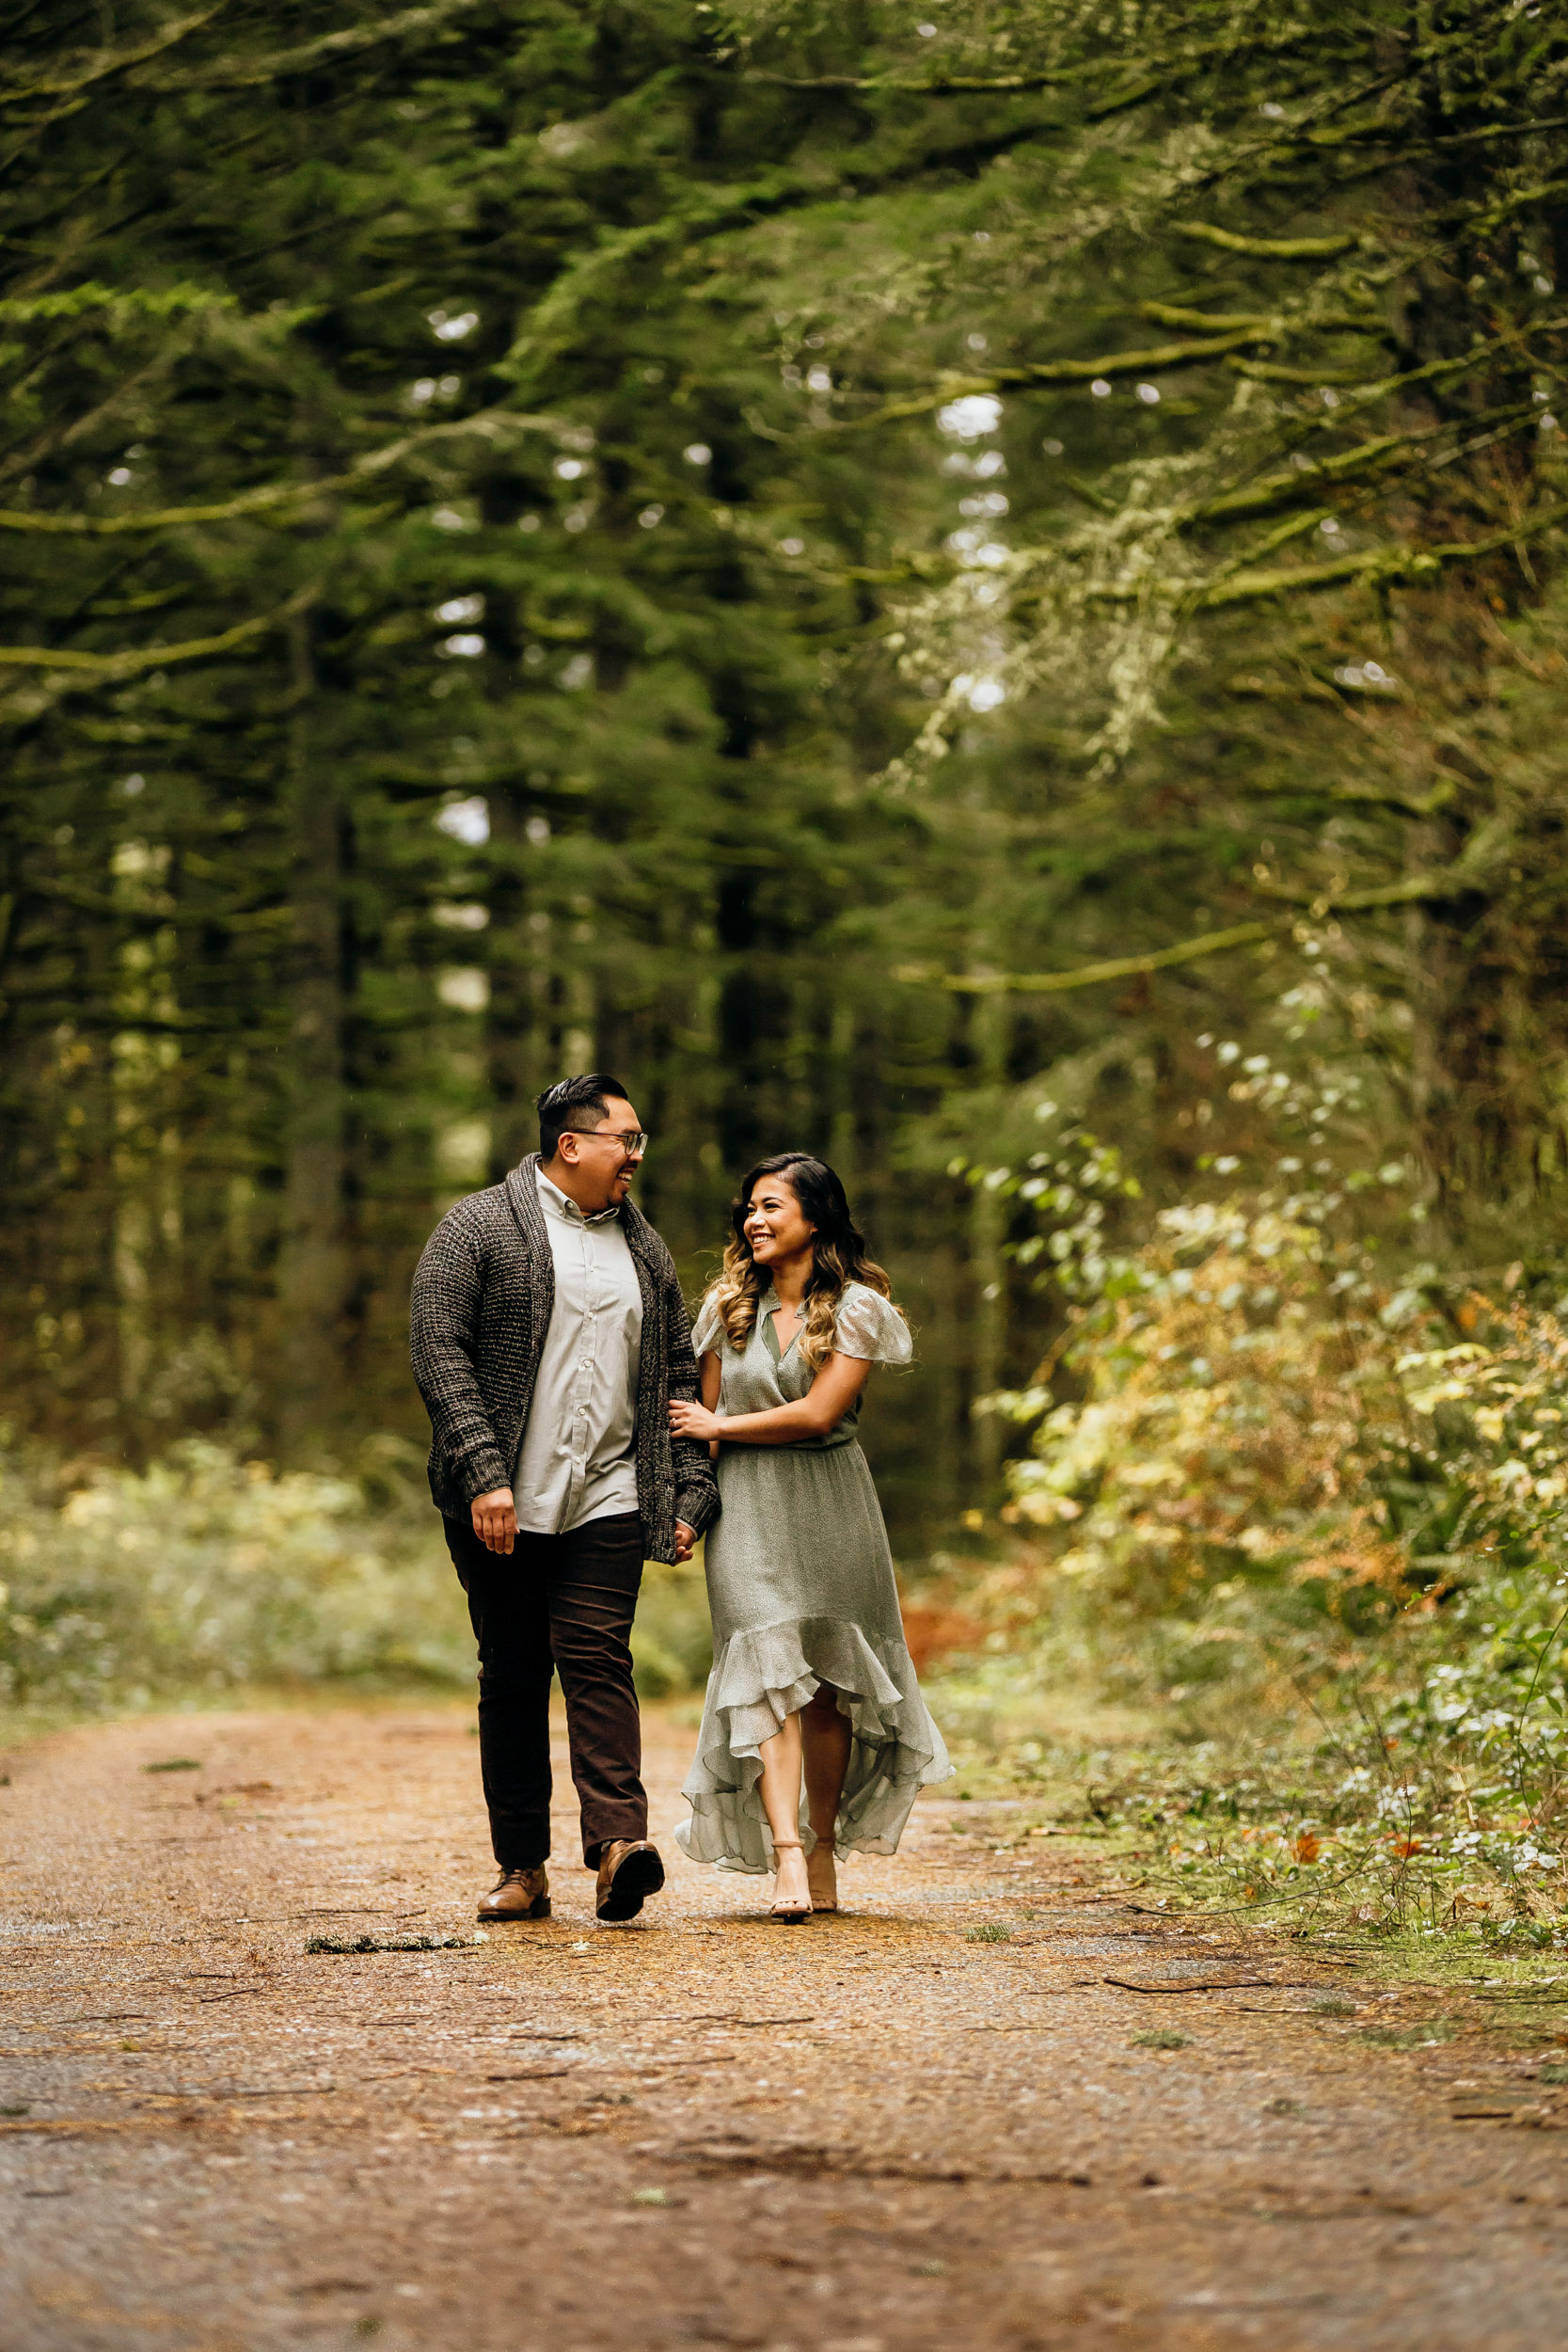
[{"x": 770, "y": 1673}]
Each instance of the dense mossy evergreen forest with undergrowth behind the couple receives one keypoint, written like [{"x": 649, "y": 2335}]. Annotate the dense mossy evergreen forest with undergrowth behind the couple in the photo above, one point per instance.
[{"x": 972, "y": 592}]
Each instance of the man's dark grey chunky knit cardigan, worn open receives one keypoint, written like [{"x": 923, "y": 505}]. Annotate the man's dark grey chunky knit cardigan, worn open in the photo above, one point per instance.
[{"x": 483, "y": 1299}]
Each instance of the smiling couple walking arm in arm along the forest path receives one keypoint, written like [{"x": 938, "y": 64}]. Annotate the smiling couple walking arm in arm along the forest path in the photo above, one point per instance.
[{"x": 582, "y": 1426}]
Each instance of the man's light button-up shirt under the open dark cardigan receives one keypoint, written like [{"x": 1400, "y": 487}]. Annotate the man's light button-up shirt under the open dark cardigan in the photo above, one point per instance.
[{"x": 575, "y": 1459}]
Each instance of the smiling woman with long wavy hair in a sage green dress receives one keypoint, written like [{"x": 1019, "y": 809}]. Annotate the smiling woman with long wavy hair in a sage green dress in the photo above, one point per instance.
[{"x": 812, "y": 1676}]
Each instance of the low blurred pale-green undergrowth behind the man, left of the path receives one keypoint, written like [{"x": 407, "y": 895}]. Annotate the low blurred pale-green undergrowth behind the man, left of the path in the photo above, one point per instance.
[{"x": 215, "y": 1572}]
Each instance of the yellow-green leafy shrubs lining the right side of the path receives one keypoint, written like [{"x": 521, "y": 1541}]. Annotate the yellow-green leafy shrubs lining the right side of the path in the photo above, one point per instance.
[{"x": 1320, "y": 1509}]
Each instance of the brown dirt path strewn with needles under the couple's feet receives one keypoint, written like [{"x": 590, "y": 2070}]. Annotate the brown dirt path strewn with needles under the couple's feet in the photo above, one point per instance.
[{"x": 871, "y": 2134}]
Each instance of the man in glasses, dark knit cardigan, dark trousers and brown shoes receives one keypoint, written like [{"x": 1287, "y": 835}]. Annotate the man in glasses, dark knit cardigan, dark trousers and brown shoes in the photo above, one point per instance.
[{"x": 549, "y": 1337}]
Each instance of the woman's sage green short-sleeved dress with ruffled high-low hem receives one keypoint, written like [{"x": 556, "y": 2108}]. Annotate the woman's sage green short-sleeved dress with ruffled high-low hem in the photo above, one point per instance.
[{"x": 800, "y": 1584}]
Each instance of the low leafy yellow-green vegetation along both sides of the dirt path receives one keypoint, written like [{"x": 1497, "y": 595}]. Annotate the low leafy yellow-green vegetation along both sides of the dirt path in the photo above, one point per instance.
[{"x": 1273, "y": 1617}]
